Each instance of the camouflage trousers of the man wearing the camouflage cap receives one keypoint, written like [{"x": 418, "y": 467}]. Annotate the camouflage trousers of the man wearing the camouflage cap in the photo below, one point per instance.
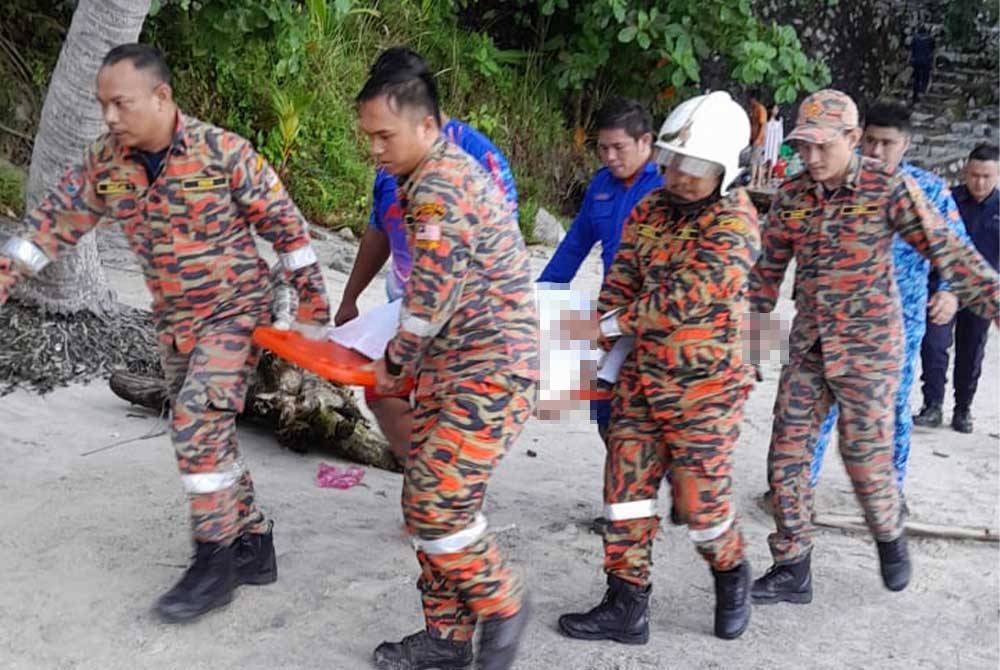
[{"x": 865, "y": 439}]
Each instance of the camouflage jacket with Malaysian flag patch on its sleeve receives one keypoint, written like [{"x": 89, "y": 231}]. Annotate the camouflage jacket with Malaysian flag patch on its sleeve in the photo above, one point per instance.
[{"x": 469, "y": 310}]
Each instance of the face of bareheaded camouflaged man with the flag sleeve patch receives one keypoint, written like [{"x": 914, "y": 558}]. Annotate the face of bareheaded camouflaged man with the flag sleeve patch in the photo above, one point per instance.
[{"x": 400, "y": 138}]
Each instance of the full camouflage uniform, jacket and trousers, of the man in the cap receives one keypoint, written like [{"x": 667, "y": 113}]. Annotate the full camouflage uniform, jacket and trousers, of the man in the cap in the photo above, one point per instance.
[{"x": 846, "y": 341}]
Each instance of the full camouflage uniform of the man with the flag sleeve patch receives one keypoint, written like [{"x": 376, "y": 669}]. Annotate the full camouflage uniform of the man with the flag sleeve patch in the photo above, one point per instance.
[{"x": 469, "y": 334}]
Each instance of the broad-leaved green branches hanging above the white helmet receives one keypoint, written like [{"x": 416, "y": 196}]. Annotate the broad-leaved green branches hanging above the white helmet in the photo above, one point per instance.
[{"x": 666, "y": 43}]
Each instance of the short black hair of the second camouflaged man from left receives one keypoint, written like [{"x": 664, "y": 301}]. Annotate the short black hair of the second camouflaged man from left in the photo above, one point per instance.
[{"x": 402, "y": 75}]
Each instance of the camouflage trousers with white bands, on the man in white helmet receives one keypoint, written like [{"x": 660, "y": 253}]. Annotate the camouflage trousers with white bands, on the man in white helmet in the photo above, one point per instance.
[{"x": 685, "y": 429}]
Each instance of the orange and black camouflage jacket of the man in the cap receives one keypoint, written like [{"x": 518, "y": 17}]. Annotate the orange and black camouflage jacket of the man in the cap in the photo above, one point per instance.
[{"x": 845, "y": 291}]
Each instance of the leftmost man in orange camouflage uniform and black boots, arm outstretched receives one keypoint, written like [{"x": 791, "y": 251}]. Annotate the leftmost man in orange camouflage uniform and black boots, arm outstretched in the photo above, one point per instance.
[{"x": 188, "y": 196}]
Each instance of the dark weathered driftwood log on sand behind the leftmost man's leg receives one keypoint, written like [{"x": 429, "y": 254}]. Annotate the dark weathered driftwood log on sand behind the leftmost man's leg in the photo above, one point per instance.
[{"x": 305, "y": 412}]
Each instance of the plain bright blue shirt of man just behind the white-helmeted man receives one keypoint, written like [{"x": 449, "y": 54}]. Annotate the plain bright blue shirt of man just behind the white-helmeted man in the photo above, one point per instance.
[{"x": 606, "y": 205}]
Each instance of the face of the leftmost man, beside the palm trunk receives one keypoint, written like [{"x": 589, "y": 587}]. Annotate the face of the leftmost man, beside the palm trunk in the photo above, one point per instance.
[{"x": 137, "y": 109}]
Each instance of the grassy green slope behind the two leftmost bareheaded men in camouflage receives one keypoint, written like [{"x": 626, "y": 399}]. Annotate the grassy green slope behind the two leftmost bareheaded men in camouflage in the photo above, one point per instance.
[{"x": 284, "y": 74}]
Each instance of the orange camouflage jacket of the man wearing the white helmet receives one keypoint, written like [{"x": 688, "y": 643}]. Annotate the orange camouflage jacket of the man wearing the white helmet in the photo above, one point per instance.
[{"x": 679, "y": 284}]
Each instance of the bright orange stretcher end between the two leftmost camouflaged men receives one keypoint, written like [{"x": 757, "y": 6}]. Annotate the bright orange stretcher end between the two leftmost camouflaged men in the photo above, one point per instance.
[{"x": 327, "y": 359}]
